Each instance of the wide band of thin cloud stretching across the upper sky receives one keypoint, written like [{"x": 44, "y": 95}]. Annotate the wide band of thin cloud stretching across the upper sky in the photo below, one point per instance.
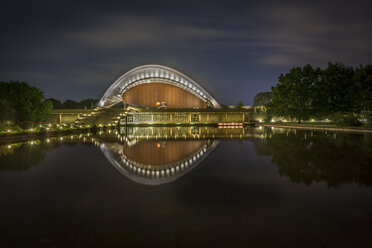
[{"x": 275, "y": 35}]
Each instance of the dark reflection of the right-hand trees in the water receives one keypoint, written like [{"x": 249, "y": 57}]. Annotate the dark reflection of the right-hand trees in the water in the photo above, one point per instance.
[{"x": 321, "y": 157}]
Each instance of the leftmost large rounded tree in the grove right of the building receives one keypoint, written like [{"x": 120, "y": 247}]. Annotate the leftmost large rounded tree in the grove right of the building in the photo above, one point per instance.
[{"x": 293, "y": 96}]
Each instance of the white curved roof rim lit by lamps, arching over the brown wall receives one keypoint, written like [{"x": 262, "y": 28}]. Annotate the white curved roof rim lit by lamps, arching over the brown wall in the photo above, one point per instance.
[{"x": 150, "y": 74}]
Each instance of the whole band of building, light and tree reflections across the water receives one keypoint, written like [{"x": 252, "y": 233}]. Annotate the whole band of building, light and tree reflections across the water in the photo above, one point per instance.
[{"x": 157, "y": 155}]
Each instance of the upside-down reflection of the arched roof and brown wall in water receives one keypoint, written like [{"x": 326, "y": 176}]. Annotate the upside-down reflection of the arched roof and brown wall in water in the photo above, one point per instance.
[{"x": 155, "y": 163}]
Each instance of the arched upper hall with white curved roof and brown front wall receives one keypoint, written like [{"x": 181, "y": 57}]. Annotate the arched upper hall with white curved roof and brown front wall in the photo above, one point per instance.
[{"x": 152, "y": 85}]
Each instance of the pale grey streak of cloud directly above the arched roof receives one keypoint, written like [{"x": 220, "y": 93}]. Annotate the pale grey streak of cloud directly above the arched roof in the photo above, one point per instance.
[{"x": 127, "y": 32}]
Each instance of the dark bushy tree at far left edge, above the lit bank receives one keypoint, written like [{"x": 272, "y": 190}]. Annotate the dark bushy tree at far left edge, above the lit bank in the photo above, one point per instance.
[{"x": 24, "y": 103}]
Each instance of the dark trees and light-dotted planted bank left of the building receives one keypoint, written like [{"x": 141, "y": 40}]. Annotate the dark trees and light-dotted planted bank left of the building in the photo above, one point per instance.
[{"x": 23, "y": 110}]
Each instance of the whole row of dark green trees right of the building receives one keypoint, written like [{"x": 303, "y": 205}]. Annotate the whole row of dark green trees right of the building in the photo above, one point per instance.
[{"x": 339, "y": 93}]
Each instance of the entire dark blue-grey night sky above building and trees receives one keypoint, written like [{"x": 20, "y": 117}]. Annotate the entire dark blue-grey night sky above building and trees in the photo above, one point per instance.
[{"x": 235, "y": 49}]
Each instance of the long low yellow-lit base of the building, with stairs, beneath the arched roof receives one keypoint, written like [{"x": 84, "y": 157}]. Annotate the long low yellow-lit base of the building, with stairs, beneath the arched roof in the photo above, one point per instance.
[{"x": 133, "y": 116}]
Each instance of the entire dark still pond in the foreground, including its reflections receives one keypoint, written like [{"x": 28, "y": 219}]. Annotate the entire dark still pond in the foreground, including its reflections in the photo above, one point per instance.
[{"x": 183, "y": 187}]
